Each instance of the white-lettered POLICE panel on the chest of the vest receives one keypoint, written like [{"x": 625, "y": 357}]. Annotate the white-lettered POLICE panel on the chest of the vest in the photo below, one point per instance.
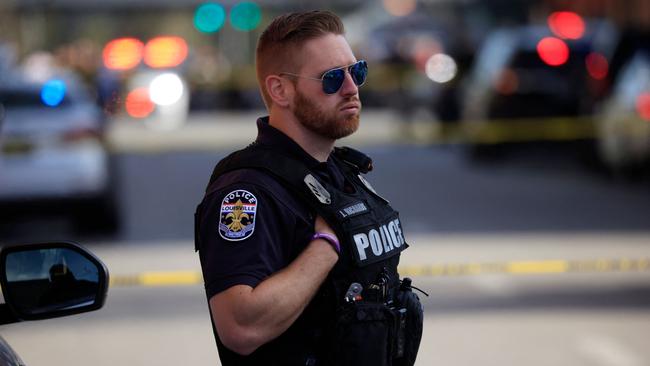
[{"x": 375, "y": 244}]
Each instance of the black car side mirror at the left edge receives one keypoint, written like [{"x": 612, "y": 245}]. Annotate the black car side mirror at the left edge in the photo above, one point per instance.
[{"x": 49, "y": 280}]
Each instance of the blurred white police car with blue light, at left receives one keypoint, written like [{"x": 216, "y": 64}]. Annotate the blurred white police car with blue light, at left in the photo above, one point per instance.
[{"x": 52, "y": 147}]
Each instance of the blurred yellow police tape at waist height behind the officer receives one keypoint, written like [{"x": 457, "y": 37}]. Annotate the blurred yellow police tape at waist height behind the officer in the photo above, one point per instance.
[{"x": 542, "y": 267}]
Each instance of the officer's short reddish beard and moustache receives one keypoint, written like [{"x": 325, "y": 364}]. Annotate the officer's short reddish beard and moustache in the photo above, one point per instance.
[{"x": 324, "y": 123}]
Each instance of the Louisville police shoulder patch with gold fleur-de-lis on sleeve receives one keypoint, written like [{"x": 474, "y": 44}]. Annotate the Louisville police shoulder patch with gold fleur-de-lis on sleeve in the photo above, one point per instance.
[{"x": 237, "y": 219}]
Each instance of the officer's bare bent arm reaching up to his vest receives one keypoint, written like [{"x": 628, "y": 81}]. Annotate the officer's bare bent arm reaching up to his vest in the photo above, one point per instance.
[{"x": 253, "y": 317}]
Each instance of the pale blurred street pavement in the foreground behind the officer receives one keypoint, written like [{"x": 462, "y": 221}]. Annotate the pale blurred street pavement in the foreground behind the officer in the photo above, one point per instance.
[{"x": 545, "y": 318}]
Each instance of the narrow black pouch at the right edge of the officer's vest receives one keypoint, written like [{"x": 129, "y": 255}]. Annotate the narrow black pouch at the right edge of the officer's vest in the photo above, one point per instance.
[{"x": 411, "y": 324}]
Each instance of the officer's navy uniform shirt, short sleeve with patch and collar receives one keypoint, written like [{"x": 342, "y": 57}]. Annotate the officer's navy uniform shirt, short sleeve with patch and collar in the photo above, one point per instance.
[{"x": 251, "y": 226}]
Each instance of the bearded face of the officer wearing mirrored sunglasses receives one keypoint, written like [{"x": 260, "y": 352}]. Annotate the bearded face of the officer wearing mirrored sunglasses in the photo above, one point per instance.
[{"x": 335, "y": 115}]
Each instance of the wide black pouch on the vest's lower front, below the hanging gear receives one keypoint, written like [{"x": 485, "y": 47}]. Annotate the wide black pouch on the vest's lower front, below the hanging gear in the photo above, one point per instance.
[{"x": 364, "y": 334}]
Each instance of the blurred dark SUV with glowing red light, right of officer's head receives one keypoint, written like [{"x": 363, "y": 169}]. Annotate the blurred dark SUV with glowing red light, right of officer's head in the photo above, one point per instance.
[{"x": 513, "y": 95}]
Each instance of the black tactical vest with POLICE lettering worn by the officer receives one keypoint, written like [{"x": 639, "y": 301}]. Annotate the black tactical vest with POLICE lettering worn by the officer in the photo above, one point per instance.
[{"x": 369, "y": 324}]
